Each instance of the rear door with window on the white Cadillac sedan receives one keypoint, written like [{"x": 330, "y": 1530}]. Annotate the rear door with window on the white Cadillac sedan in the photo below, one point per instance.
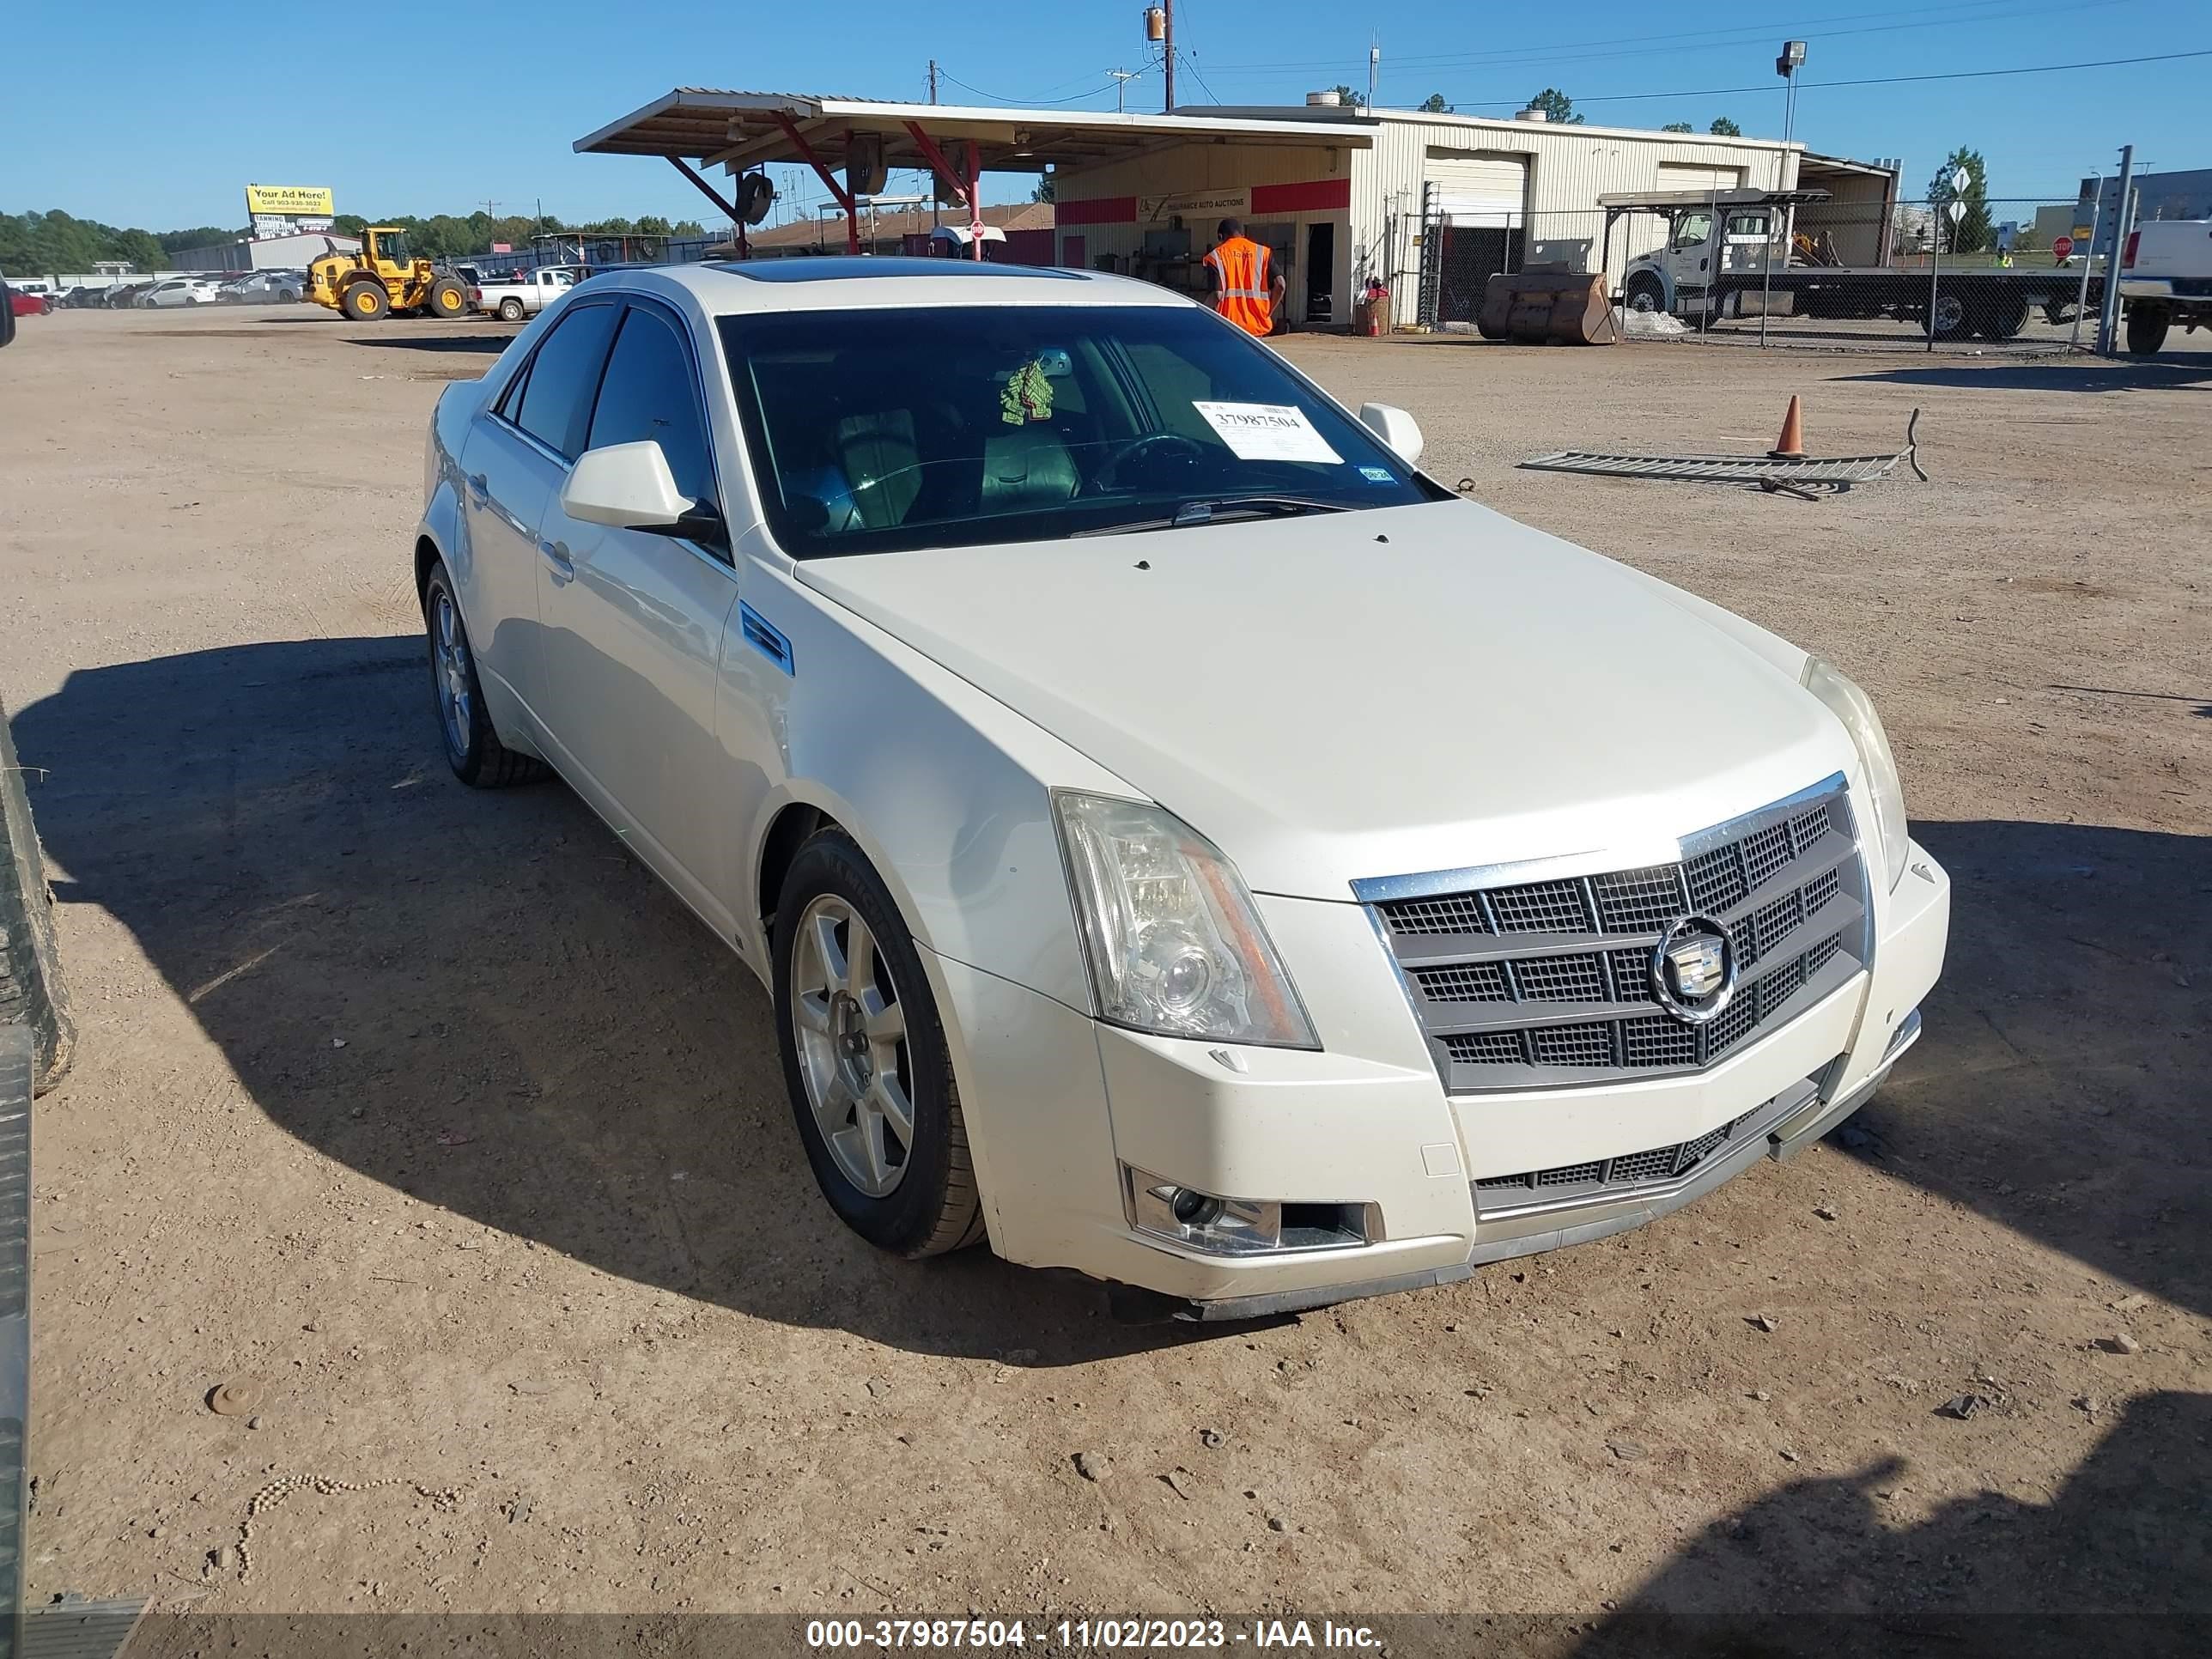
[{"x": 512, "y": 470}]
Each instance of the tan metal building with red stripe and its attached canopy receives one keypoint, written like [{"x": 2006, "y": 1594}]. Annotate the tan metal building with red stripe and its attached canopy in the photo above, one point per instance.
[{"x": 1339, "y": 196}]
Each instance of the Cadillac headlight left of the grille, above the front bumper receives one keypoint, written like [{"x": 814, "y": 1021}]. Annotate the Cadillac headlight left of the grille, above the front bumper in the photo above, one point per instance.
[{"x": 1169, "y": 928}]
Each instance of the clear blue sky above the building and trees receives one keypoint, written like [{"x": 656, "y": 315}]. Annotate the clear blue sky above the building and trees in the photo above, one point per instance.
[{"x": 156, "y": 116}]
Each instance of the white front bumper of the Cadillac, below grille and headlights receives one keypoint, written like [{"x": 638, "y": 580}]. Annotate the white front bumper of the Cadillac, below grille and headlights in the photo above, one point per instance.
[{"x": 1058, "y": 1107}]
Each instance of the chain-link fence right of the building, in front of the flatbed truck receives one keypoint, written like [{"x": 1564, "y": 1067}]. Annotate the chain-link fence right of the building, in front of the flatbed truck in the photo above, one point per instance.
[{"x": 1830, "y": 275}]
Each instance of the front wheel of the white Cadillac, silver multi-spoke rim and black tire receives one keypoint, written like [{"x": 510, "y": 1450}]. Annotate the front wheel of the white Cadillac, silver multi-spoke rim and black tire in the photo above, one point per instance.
[{"x": 866, "y": 1058}]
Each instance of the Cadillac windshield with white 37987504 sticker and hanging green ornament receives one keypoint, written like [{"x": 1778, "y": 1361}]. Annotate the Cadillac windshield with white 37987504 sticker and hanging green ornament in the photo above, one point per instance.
[{"x": 886, "y": 430}]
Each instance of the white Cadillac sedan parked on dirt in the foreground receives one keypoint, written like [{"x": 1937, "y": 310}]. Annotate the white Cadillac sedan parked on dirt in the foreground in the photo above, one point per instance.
[{"x": 1185, "y": 842}]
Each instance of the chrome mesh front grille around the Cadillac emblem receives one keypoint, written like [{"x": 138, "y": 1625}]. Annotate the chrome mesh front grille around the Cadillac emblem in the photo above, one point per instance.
[{"x": 1543, "y": 983}]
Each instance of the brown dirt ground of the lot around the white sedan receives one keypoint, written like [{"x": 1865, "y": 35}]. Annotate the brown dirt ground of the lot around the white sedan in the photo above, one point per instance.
[{"x": 437, "y": 1120}]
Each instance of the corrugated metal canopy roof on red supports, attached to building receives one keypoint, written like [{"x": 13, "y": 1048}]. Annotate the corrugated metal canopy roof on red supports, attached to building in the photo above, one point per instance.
[{"x": 744, "y": 129}]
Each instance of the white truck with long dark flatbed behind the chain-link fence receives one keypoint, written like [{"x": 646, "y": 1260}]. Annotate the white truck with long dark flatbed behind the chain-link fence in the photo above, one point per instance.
[{"x": 1731, "y": 253}]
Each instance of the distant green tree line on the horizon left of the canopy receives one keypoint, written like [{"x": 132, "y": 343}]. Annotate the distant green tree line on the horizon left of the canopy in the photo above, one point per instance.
[{"x": 54, "y": 242}]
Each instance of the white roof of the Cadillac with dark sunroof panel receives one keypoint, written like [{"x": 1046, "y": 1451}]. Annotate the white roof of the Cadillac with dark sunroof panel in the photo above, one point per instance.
[{"x": 884, "y": 284}]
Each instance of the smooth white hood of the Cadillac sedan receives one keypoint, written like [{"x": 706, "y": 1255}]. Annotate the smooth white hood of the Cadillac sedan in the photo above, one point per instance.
[{"x": 1366, "y": 693}]
